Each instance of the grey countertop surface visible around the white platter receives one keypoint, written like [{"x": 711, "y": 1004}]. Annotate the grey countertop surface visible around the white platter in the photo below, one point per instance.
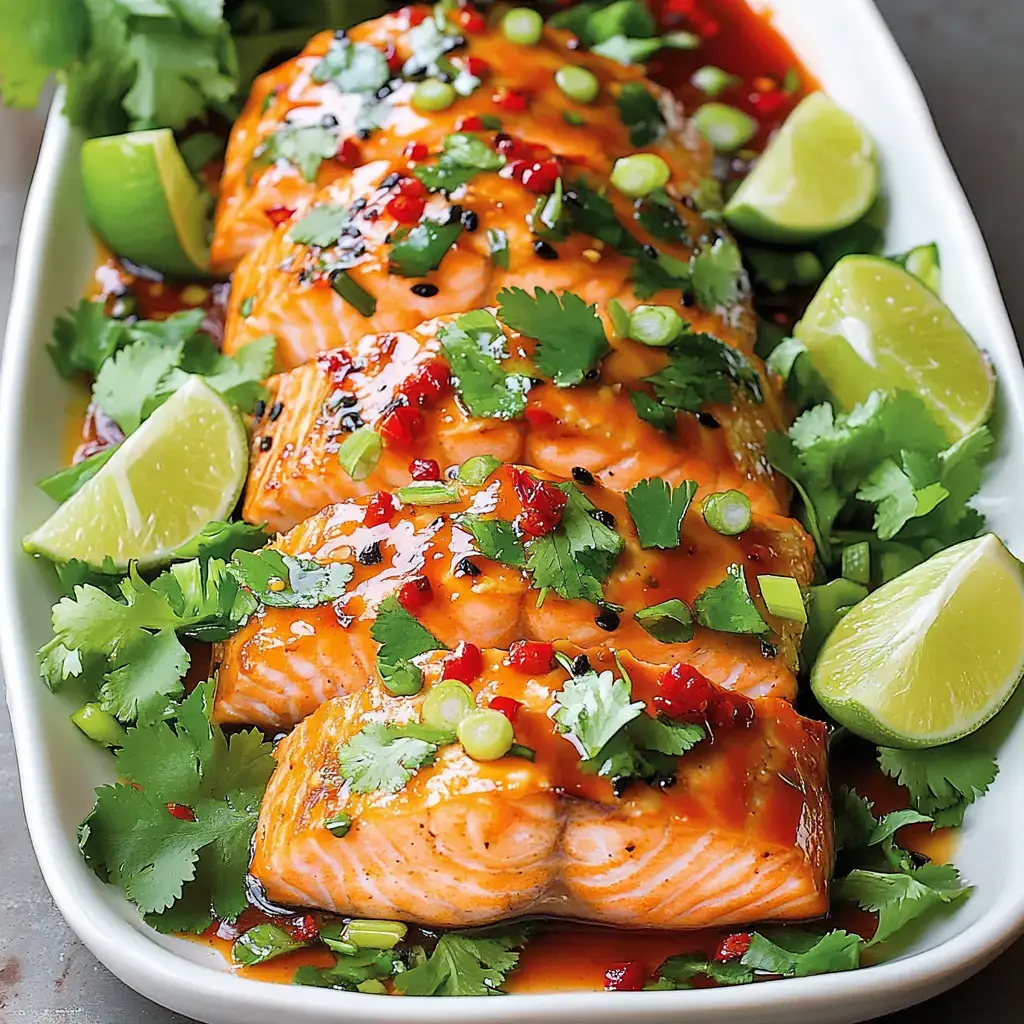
[{"x": 968, "y": 58}]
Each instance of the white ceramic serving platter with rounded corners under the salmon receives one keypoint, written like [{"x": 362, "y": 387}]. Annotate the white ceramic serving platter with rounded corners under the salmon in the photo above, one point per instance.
[{"x": 848, "y": 48}]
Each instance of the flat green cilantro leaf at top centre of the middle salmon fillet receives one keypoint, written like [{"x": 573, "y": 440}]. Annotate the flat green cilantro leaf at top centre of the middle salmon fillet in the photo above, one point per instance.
[{"x": 570, "y": 334}]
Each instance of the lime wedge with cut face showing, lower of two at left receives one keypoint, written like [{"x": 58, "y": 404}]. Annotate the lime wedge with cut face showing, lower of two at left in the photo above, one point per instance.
[{"x": 183, "y": 468}]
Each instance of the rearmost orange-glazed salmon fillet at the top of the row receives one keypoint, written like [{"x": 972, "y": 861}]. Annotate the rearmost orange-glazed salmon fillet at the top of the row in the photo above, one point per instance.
[{"x": 290, "y": 96}]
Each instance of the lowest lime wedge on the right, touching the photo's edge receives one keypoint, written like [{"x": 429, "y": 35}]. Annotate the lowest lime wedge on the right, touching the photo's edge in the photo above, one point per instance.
[{"x": 933, "y": 655}]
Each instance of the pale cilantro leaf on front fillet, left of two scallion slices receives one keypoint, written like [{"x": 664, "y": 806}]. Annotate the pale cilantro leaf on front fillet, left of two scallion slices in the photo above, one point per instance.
[{"x": 383, "y": 758}]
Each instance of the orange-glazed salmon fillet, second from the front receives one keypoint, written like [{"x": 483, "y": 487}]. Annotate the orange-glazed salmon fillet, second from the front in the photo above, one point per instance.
[{"x": 287, "y": 662}]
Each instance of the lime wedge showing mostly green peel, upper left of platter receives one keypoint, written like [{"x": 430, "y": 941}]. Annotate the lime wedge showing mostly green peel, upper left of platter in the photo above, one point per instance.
[{"x": 143, "y": 201}]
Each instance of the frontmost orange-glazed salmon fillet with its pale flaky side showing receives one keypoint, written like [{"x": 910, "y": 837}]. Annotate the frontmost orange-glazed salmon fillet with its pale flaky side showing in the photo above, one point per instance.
[{"x": 744, "y": 835}]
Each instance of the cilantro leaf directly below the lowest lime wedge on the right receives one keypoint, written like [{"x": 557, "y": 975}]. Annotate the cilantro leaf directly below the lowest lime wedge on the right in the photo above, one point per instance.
[{"x": 944, "y": 782}]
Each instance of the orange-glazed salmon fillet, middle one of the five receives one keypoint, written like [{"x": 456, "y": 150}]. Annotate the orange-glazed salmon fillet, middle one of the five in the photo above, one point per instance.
[{"x": 311, "y": 410}]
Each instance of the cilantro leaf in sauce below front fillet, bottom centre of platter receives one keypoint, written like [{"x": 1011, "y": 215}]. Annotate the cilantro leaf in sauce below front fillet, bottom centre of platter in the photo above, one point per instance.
[{"x": 465, "y": 964}]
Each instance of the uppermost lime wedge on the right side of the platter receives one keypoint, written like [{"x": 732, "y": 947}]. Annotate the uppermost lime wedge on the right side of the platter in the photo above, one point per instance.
[{"x": 819, "y": 175}]
